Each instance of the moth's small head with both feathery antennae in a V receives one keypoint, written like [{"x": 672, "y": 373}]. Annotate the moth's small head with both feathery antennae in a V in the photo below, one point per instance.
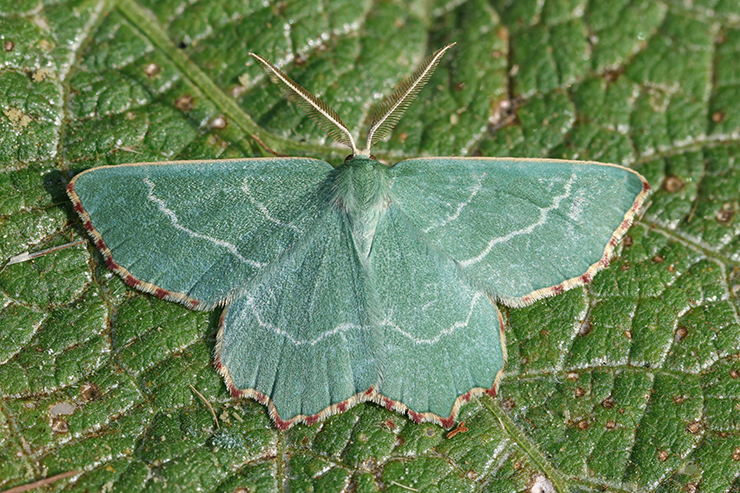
[{"x": 385, "y": 118}]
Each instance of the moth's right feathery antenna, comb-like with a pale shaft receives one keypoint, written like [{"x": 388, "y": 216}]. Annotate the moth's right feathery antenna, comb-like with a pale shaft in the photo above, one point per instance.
[{"x": 393, "y": 107}]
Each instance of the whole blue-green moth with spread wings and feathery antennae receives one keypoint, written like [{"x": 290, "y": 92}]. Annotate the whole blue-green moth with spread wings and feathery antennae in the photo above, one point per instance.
[{"x": 364, "y": 282}]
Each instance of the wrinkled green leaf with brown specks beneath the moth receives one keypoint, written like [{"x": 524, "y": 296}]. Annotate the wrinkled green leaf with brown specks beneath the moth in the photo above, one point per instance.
[{"x": 629, "y": 384}]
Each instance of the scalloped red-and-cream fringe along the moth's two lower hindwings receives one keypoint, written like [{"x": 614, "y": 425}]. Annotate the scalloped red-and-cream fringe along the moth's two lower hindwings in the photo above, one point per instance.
[{"x": 369, "y": 395}]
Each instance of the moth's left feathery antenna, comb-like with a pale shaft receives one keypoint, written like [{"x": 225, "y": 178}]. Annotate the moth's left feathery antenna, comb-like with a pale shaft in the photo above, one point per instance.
[{"x": 320, "y": 112}]
